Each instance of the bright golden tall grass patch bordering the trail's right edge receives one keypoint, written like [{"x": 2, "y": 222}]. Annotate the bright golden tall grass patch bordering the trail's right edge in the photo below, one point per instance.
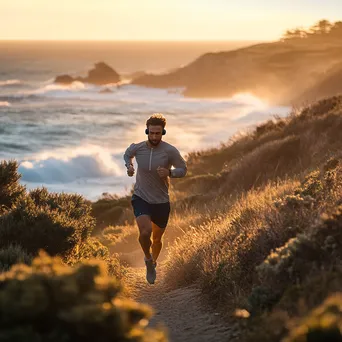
[{"x": 211, "y": 252}]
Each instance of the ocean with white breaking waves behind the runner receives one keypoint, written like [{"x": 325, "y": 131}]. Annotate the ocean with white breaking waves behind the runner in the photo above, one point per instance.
[{"x": 72, "y": 138}]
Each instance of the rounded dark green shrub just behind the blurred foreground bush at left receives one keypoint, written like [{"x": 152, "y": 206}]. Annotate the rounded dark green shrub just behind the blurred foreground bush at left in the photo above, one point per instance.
[{"x": 56, "y": 227}]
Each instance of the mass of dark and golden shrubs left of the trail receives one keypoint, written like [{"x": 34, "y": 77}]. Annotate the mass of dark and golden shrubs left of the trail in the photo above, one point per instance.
[{"x": 57, "y": 281}]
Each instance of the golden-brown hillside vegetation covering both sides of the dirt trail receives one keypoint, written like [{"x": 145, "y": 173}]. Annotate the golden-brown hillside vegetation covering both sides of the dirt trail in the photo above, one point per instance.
[{"x": 256, "y": 224}]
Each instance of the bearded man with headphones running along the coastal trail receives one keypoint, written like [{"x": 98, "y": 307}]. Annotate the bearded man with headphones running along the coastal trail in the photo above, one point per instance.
[{"x": 150, "y": 199}]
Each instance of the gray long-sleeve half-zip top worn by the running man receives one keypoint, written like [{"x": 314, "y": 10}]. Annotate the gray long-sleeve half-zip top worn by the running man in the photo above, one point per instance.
[{"x": 149, "y": 186}]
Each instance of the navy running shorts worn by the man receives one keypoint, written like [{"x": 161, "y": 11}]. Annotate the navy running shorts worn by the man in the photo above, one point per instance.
[{"x": 159, "y": 212}]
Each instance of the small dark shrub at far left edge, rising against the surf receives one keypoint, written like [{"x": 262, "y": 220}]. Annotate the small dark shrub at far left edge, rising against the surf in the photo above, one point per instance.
[{"x": 10, "y": 189}]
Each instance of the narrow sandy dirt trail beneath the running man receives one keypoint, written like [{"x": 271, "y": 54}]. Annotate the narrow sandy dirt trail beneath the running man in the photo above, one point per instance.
[{"x": 180, "y": 310}]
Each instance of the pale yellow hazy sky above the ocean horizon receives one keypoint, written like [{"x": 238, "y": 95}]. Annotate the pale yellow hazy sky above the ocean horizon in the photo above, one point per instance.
[{"x": 160, "y": 19}]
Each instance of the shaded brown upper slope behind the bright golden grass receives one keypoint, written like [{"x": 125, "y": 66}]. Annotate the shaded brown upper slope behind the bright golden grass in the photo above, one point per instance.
[{"x": 282, "y": 150}]
